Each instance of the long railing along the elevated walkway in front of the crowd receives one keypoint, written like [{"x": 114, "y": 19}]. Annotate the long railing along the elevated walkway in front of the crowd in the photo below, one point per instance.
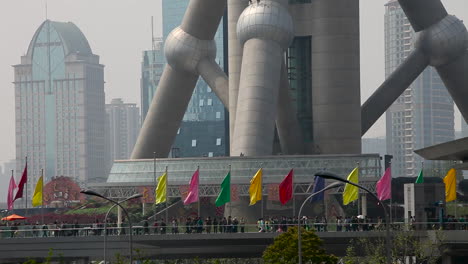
[{"x": 35, "y": 231}]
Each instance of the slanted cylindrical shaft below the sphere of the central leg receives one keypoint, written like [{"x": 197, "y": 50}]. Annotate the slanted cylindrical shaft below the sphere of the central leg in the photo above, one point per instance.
[{"x": 258, "y": 98}]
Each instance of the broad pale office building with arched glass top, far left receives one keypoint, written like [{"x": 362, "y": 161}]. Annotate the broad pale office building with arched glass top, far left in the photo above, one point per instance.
[{"x": 59, "y": 99}]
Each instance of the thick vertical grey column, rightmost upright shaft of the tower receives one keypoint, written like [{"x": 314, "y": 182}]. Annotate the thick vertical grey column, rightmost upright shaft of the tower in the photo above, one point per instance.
[{"x": 336, "y": 102}]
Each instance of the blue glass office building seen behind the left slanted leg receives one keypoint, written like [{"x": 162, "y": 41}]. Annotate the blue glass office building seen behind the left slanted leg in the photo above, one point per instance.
[{"x": 204, "y": 129}]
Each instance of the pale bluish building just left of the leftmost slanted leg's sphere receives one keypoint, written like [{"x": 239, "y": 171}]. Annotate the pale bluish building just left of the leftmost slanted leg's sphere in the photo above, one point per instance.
[{"x": 151, "y": 71}]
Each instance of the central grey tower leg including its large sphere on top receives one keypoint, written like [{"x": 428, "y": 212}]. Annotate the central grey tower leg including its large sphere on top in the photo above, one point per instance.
[{"x": 265, "y": 29}]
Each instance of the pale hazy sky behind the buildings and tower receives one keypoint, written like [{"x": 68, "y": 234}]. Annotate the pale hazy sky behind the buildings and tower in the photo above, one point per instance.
[{"x": 119, "y": 30}]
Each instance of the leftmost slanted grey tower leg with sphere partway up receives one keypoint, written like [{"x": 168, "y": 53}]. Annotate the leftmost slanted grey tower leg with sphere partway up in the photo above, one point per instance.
[{"x": 185, "y": 48}]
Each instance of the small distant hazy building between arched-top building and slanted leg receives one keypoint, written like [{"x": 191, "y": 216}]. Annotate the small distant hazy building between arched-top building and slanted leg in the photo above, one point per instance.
[{"x": 124, "y": 125}]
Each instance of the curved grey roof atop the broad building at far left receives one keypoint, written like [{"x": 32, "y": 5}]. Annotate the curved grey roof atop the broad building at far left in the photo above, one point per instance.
[{"x": 72, "y": 38}]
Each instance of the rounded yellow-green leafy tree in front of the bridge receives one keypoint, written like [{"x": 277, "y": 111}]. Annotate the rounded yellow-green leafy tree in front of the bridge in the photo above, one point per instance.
[{"x": 284, "y": 249}]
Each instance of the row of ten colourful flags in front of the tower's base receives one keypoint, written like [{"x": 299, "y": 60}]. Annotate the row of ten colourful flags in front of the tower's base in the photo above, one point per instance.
[{"x": 350, "y": 193}]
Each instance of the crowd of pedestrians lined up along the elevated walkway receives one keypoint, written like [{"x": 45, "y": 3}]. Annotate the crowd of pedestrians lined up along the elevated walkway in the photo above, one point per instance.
[{"x": 191, "y": 225}]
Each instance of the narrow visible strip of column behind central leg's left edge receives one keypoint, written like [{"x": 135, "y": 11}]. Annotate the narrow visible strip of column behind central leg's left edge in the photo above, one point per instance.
[{"x": 235, "y": 8}]
